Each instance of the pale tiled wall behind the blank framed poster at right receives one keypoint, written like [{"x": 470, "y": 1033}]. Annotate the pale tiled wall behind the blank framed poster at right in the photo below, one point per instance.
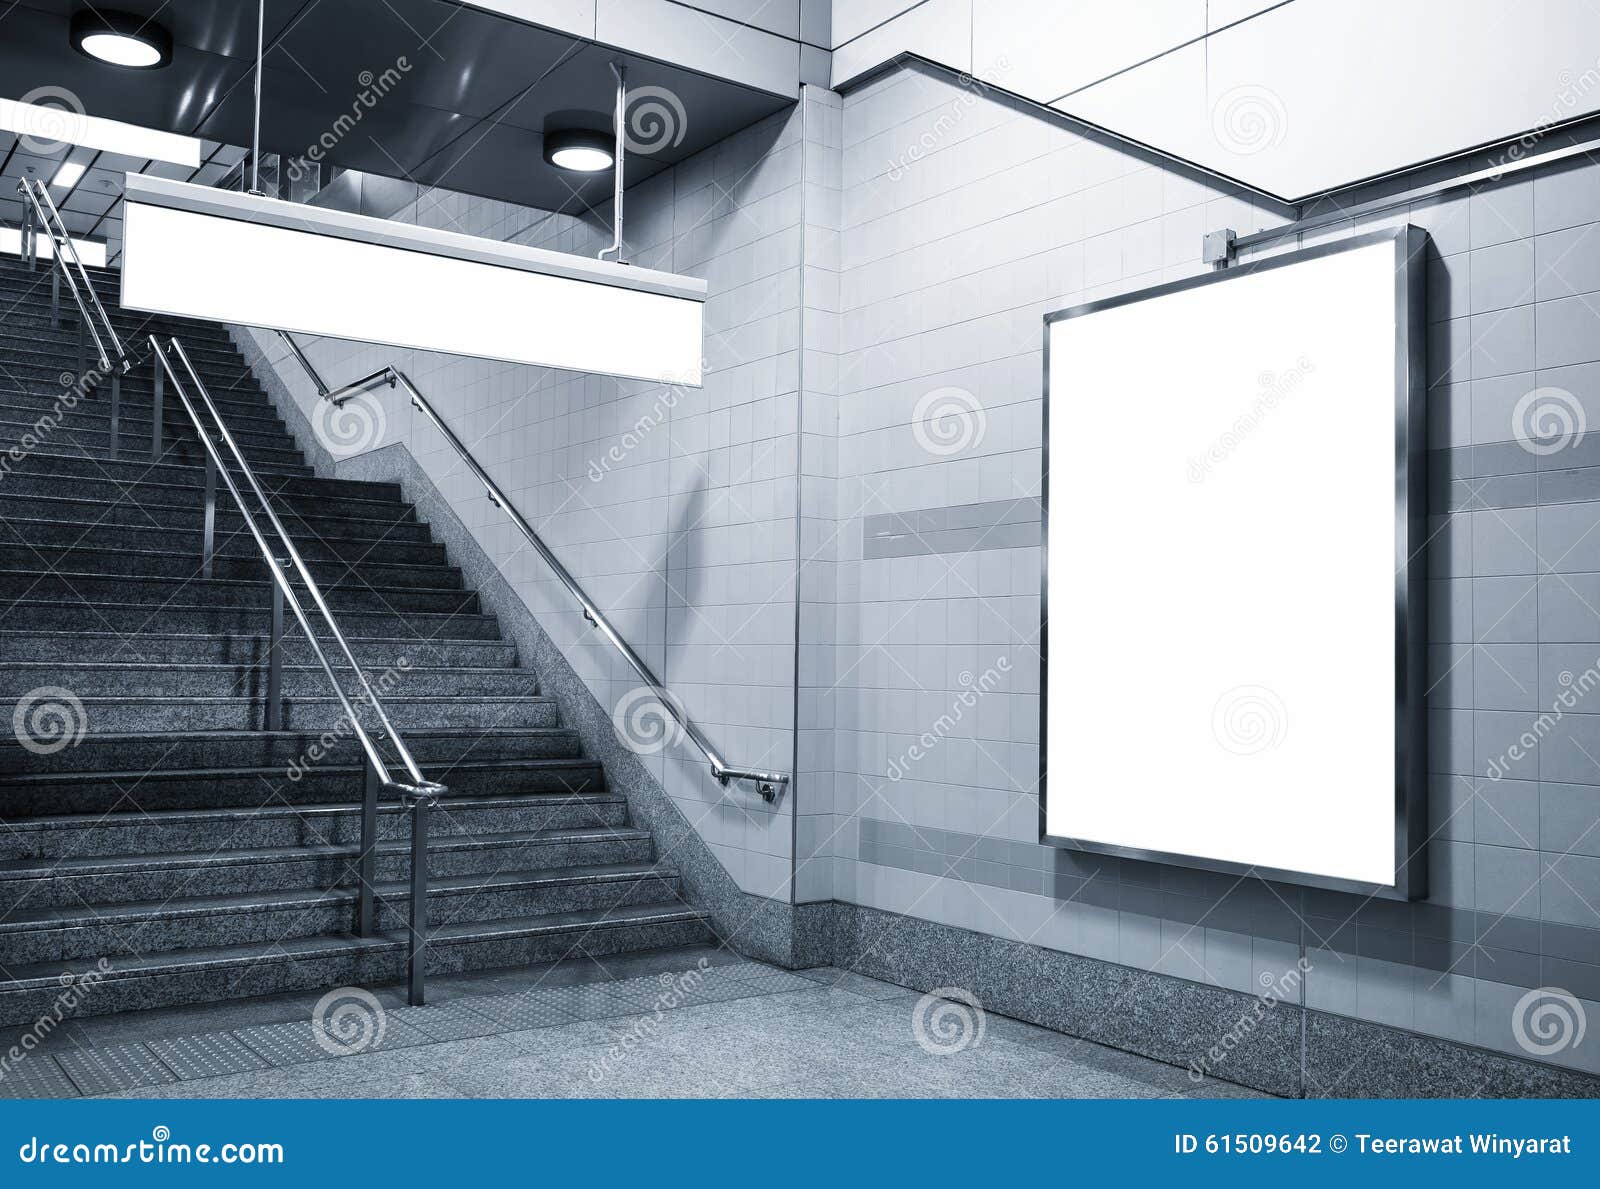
[{"x": 964, "y": 222}]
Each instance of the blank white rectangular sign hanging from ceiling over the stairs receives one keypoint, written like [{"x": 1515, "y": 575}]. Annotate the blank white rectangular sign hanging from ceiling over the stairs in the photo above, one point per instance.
[{"x": 202, "y": 254}]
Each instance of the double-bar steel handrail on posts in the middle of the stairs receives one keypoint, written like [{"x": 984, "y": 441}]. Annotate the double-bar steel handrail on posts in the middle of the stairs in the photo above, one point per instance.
[{"x": 420, "y": 795}]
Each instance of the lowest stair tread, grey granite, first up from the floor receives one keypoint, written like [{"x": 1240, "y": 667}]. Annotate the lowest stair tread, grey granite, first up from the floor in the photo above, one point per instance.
[{"x": 180, "y": 961}]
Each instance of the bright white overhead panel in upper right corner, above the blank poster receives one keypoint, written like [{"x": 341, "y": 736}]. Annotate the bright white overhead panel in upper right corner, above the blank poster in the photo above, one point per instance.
[{"x": 1324, "y": 94}]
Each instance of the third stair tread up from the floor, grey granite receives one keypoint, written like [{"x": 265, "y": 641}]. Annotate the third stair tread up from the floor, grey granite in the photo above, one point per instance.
[{"x": 102, "y": 865}]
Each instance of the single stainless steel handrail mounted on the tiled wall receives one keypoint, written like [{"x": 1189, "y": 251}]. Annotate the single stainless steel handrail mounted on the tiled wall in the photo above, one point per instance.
[{"x": 767, "y": 783}]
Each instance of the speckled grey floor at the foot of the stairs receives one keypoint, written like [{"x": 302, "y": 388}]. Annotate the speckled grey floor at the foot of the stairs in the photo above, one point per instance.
[{"x": 684, "y": 1023}]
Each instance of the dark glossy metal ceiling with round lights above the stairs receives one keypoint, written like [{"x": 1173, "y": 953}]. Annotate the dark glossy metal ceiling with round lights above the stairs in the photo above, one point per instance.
[{"x": 463, "y": 110}]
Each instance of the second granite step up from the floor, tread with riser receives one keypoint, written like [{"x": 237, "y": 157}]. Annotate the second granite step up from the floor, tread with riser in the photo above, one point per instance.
[{"x": 137, "y": 929}]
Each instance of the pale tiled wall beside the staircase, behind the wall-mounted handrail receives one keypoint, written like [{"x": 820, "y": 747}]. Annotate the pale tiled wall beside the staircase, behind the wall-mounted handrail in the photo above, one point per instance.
[{"x": 676, "y": 510}]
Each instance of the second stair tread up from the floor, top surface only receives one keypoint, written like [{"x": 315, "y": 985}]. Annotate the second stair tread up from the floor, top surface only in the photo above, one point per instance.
[{"x": 170, "y": 908}]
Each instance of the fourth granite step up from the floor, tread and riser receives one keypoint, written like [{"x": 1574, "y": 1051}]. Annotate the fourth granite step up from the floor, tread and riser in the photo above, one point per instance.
[{"x": 52, "y": 838}]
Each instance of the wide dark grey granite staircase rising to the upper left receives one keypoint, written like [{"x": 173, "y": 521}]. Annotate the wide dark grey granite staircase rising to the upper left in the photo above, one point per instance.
[{"x": 180, "y": 852}]
